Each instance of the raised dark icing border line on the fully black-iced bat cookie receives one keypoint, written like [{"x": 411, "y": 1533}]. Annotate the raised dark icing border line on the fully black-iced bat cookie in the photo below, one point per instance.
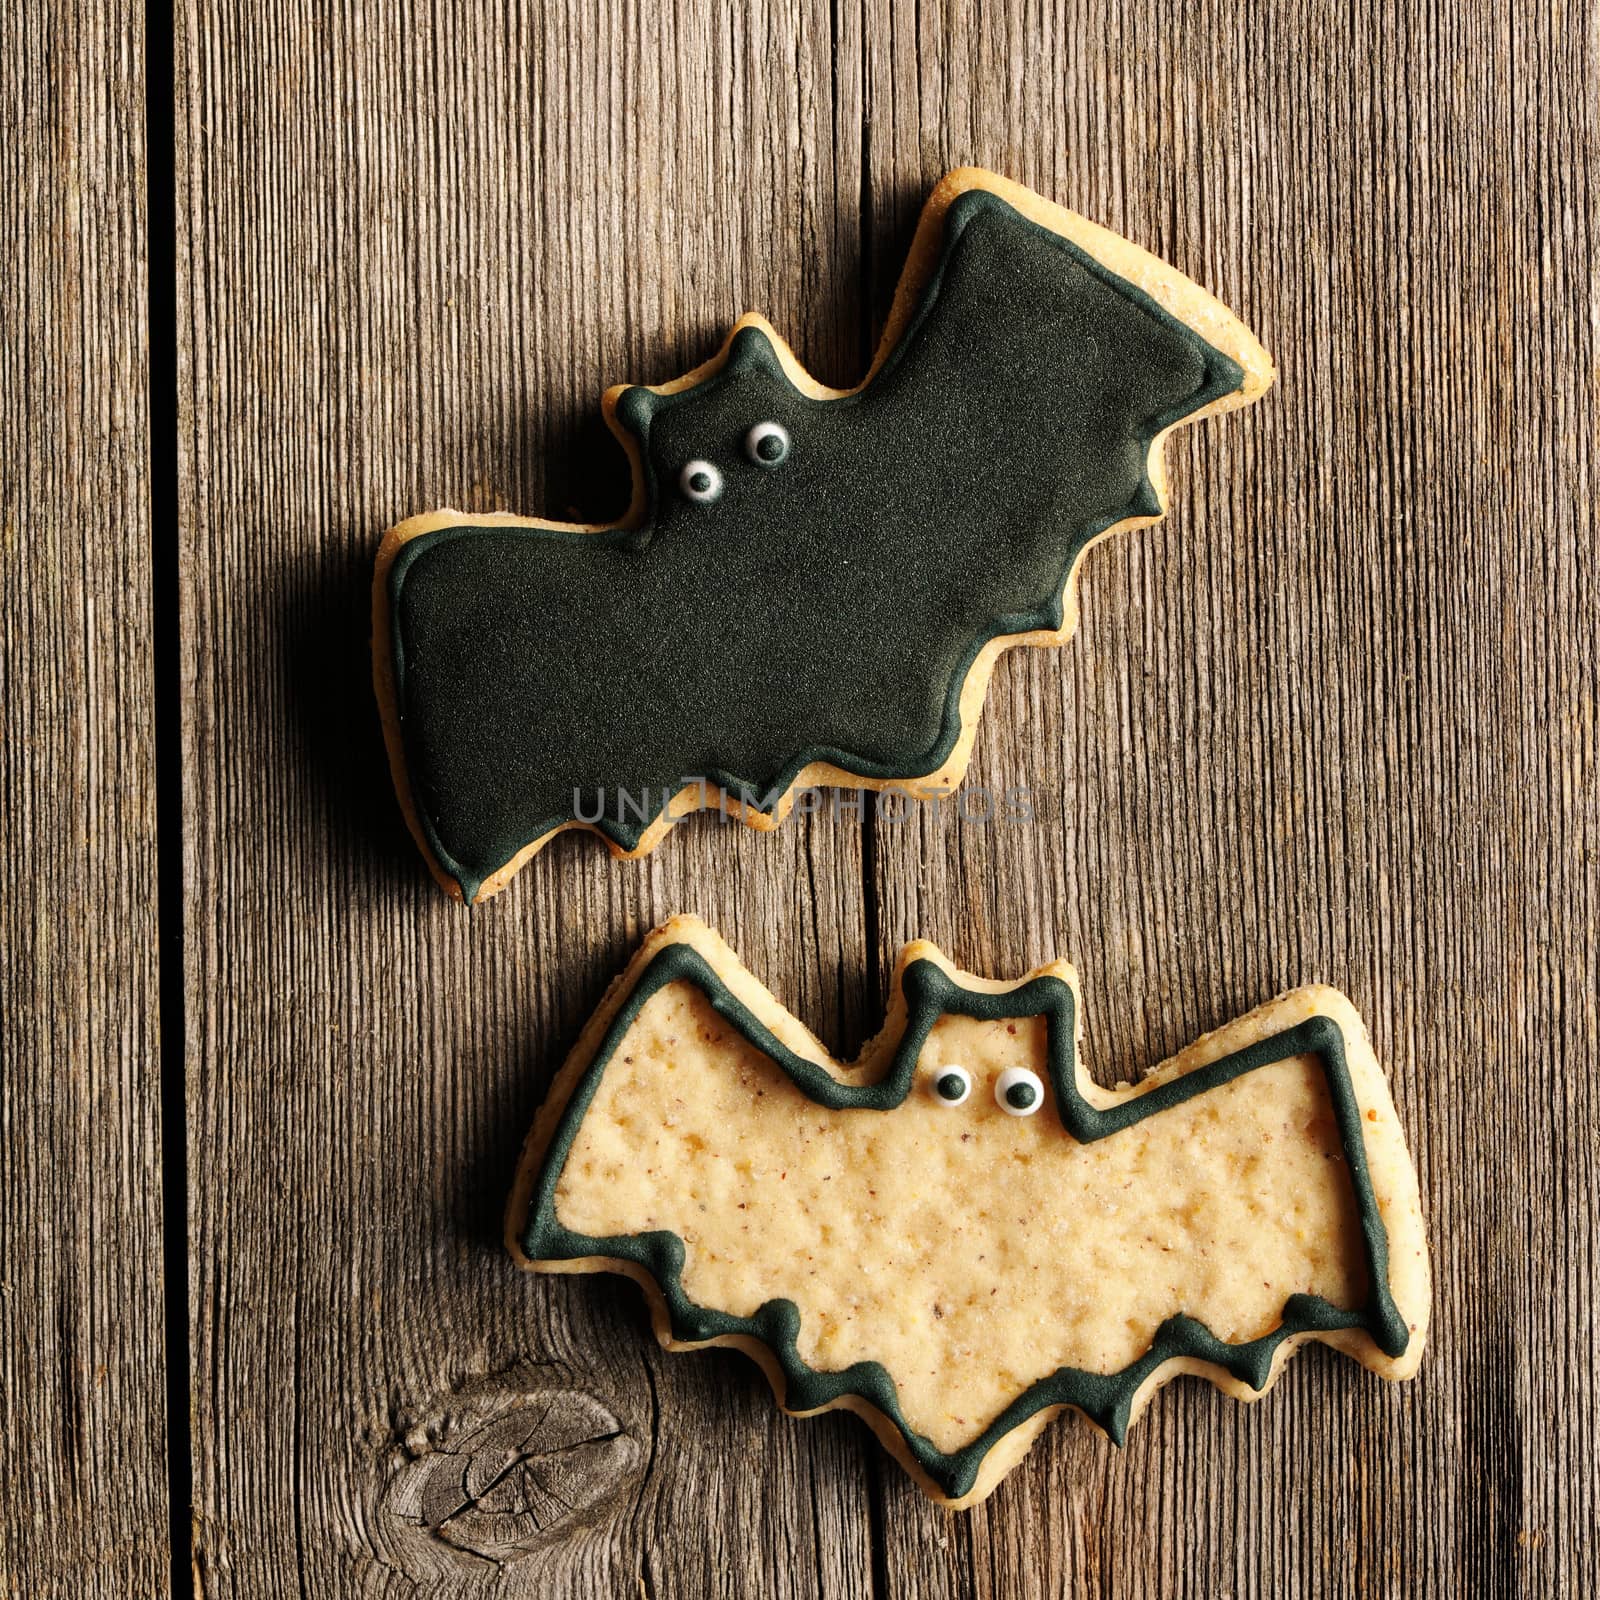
[{"x": 748, "y": 351}]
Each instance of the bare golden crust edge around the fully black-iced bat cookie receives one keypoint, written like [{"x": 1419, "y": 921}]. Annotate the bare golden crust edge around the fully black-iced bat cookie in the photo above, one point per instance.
[{"x": 1170, "y": 289}]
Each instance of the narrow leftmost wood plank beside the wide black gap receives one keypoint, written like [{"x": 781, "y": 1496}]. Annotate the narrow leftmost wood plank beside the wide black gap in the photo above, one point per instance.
[{"x": 82, "y": 1388}]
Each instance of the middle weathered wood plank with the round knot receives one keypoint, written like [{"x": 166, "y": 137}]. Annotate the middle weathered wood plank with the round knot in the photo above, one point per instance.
[{"x": 414, "y": 250}]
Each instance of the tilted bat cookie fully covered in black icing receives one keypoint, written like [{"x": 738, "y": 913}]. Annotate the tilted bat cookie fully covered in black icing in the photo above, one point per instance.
[{"x": 810, "y": 586}]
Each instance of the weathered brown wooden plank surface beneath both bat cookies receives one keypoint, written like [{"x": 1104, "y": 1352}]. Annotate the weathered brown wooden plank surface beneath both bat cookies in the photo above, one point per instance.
[{"x": 1335, "y": 719}]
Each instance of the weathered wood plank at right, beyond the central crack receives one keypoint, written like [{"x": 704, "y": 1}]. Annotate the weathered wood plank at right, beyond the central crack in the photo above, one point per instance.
[{"x": 1332, "y": 721}]
